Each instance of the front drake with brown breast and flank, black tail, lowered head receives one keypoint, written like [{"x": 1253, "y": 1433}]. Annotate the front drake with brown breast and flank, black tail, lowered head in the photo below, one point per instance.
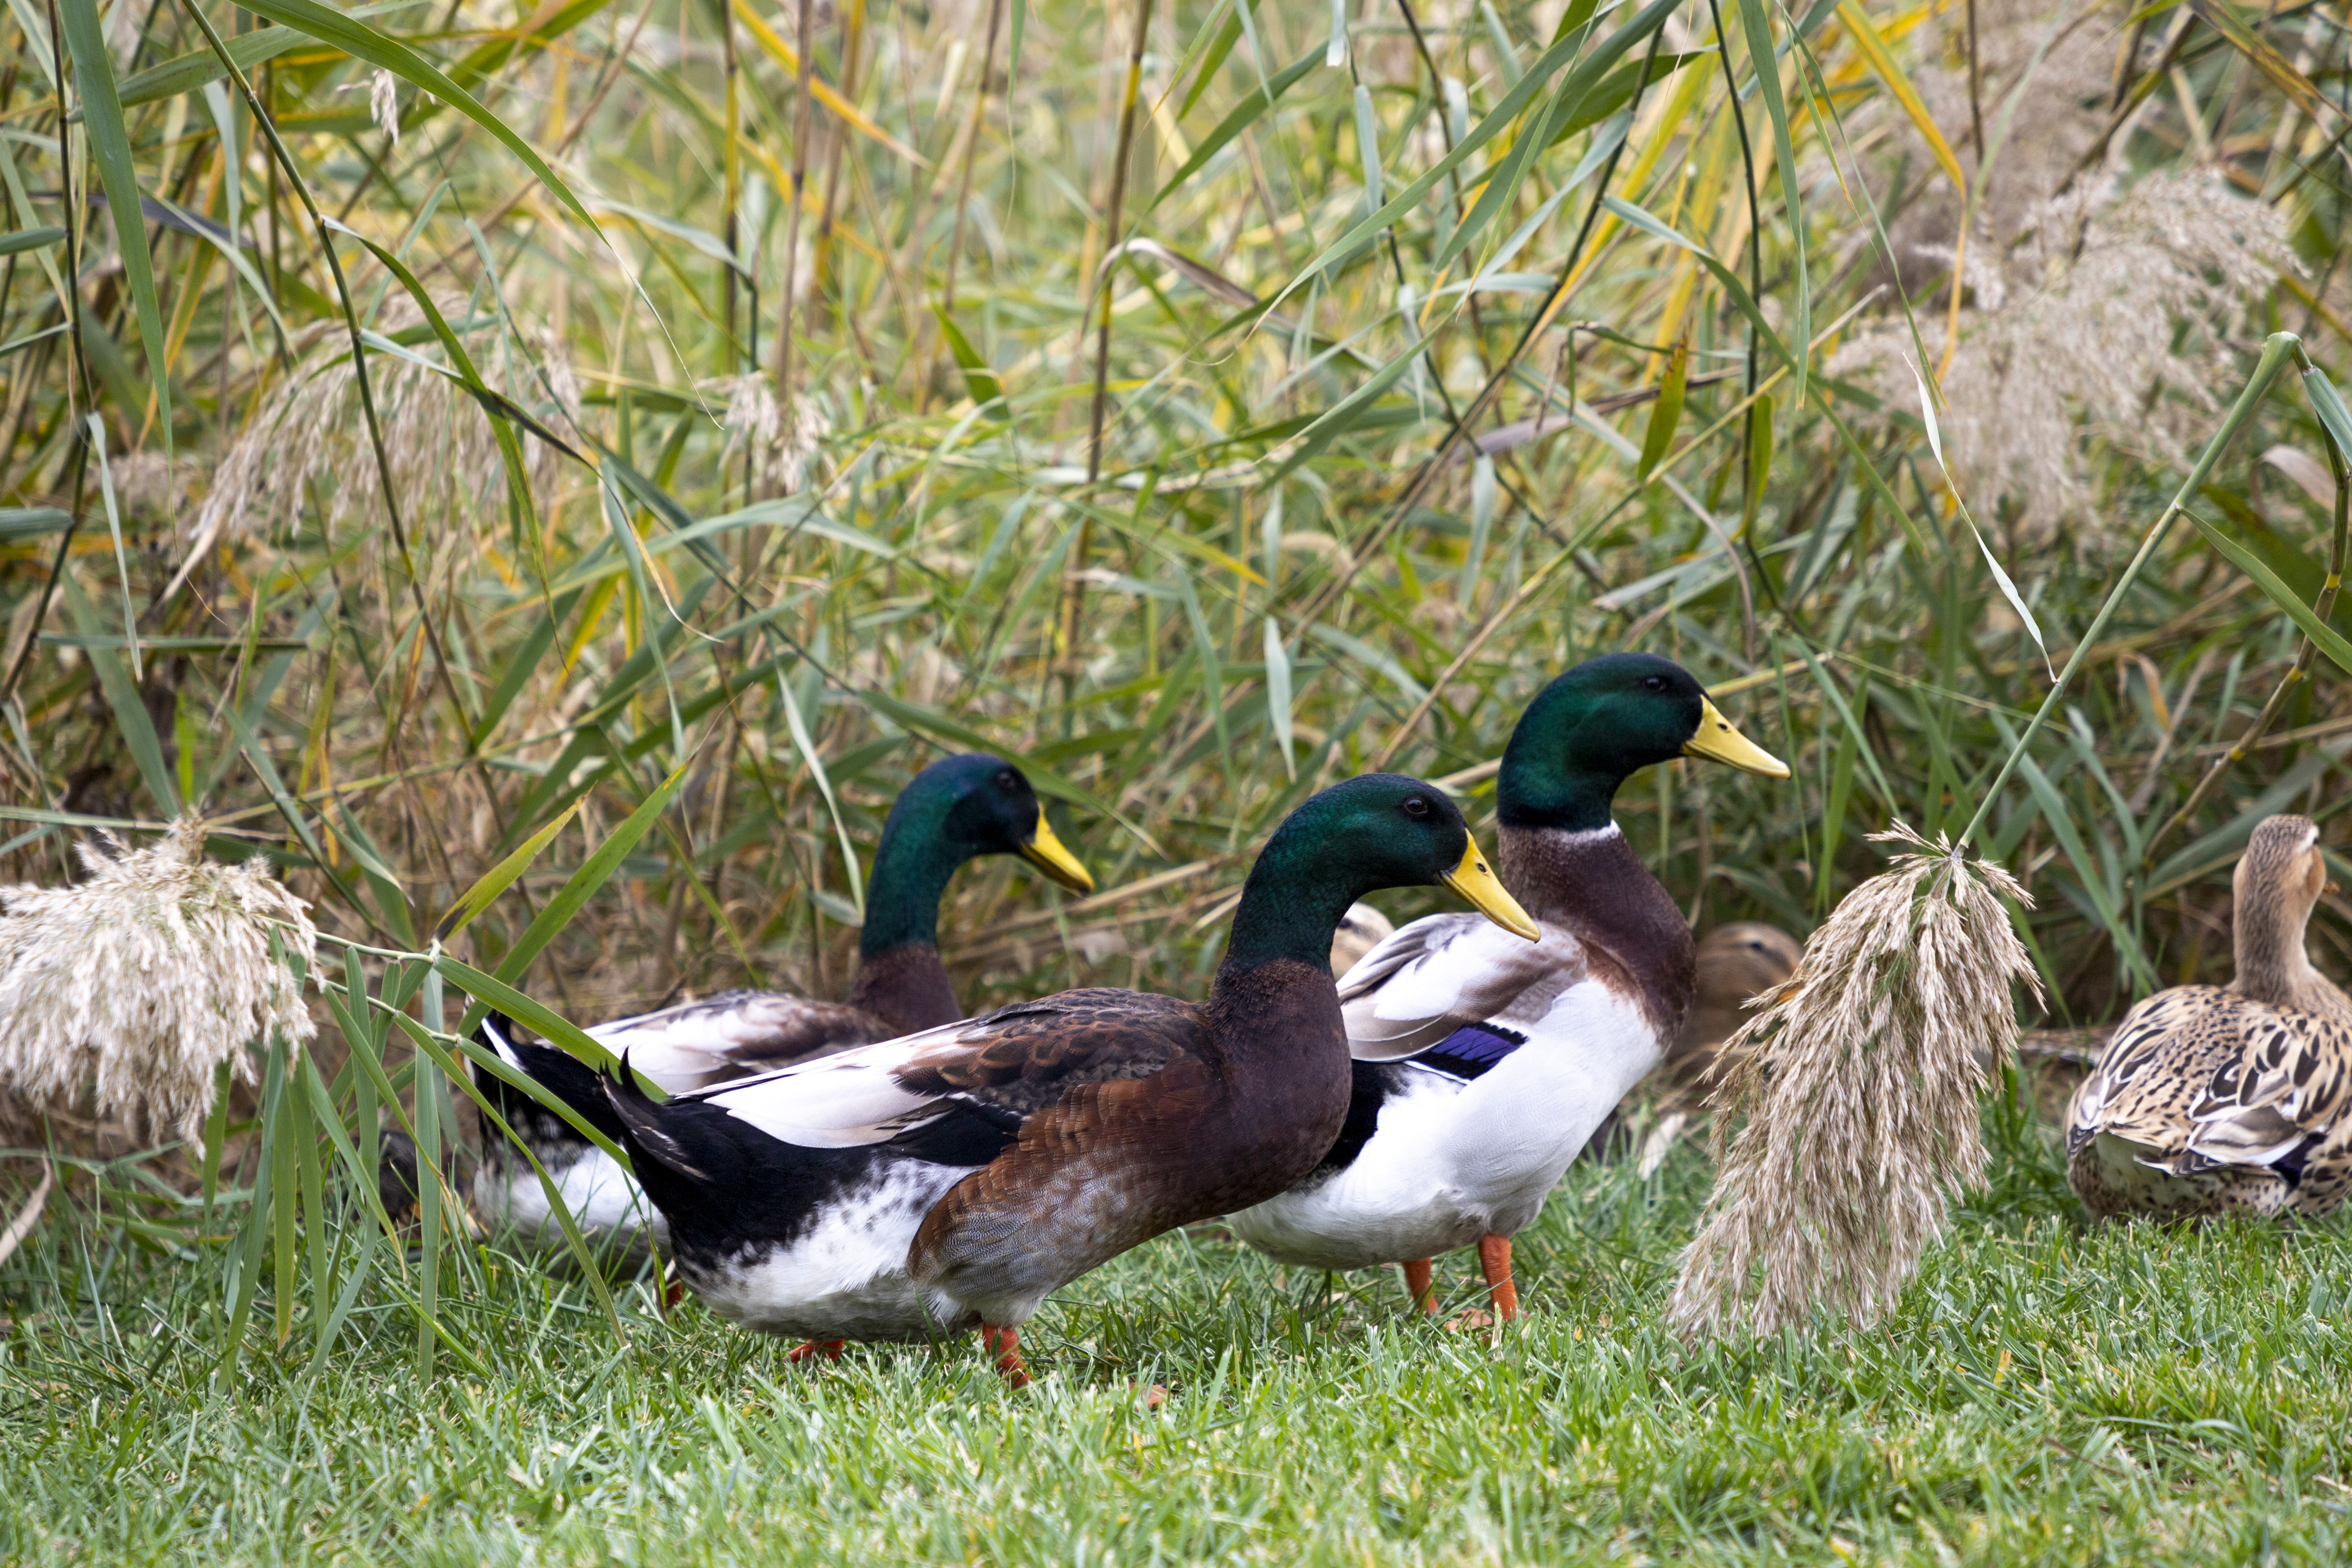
[{"x": 954, "y": 1179}]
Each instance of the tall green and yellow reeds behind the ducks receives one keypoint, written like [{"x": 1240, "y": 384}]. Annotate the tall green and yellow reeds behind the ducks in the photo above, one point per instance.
[{"x": 615, "y": 558}]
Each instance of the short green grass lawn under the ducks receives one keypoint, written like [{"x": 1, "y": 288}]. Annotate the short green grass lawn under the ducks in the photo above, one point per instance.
[{"x": 2047, "y": 1393}]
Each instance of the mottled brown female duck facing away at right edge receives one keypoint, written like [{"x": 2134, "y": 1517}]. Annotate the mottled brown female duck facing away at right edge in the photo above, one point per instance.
[{"x": 2229, "y": 1099}]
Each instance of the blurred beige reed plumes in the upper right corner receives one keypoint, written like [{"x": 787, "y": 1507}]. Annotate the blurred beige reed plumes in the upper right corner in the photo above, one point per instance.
[{"x": 2099, "y": 304}]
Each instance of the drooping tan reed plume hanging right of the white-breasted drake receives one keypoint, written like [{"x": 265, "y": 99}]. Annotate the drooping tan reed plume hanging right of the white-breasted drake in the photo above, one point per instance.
[{"x": 1857, "y": 1099}]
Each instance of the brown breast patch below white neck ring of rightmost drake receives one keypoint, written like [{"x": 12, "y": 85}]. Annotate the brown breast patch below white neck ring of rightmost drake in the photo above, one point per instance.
[{"x": 1593, "y": 885}]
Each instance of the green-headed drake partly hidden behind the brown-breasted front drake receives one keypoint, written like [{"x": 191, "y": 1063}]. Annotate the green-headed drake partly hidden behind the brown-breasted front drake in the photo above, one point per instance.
[{"x": 954, "y": 812}]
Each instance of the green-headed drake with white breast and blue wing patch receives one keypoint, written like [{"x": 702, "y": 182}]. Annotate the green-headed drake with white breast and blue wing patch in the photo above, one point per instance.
[{"x": 1483, "y": 1066}]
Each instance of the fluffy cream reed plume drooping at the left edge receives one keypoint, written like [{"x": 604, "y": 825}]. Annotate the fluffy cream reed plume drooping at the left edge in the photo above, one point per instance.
[{"x": 145, "y": 979}]
